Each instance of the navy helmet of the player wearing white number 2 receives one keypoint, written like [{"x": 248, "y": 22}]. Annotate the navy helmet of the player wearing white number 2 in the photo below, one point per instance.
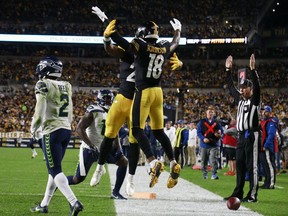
[{"x": 49, "y": 67}]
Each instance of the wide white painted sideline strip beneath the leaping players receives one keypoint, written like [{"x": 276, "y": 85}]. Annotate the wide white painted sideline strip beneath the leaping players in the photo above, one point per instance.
[{"x": 184, "y": 199}]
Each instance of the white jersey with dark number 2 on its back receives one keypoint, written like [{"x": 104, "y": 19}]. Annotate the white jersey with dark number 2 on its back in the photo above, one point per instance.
[{"x": 54, "y": 107}]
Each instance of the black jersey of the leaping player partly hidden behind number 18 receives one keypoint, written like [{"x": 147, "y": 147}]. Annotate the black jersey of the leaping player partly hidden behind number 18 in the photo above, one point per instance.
[{"x": 127, "y": 75}]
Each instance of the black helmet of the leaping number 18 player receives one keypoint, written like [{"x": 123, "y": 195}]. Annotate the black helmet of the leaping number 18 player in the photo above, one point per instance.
[{"x": 148, "y": 30}]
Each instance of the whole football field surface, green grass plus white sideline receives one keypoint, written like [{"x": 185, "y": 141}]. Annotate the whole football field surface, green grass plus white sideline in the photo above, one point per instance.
[{"x": 23, "y": 182}]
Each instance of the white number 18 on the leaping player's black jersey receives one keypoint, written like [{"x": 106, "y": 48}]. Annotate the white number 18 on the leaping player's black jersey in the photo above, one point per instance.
[{"x": 155, "y": 66}]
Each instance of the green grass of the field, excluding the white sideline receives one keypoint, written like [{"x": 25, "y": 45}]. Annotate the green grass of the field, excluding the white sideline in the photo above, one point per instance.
[{"x": 23, "y": 182}]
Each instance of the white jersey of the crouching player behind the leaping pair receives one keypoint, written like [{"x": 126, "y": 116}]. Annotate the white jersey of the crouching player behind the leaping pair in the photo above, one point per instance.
[{"x": 96, "y": 130}]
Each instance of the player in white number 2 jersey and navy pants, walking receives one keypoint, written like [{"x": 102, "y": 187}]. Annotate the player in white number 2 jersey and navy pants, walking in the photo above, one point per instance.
[{"x": 53, "y": 112}]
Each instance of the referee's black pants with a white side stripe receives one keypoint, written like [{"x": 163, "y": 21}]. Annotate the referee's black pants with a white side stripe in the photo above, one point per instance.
[{"x": 247, "y": 154}]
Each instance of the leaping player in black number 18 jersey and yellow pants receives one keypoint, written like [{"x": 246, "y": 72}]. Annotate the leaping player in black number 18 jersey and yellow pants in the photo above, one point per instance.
[{"x": 150, "y": 56}]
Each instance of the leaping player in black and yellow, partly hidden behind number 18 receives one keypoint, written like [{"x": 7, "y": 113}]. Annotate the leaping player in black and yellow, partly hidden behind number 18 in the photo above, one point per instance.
[{"x": 120, "y": 110}]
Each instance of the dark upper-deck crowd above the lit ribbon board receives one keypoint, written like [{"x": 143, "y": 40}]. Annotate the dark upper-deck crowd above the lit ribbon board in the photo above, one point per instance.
[{"x": 202, "y": 19}]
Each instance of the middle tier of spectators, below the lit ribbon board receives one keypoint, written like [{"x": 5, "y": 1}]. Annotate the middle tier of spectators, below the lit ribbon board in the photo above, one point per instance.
[{"x": 200, "y": 74}]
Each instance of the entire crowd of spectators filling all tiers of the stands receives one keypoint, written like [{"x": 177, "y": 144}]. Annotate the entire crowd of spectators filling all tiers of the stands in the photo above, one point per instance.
[{"x": 200, "y": 19}]
